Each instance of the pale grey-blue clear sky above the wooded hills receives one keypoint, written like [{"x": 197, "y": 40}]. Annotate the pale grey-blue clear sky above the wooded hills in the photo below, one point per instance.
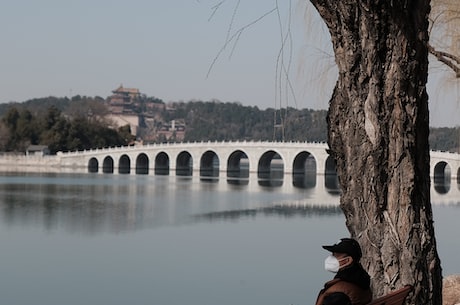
[{"x": 228, "y": 50}]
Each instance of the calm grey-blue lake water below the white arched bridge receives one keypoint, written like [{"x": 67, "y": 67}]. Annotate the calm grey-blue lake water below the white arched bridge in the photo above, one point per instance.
[{"x": 126, "y": 239}]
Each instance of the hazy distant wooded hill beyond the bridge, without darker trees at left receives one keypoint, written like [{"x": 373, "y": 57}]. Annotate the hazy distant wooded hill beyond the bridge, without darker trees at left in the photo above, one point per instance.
[{"x": 219, "y": 121}]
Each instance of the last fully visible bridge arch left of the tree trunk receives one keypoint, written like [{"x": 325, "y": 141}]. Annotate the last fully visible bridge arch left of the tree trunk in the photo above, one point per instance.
[{"x": 304, "y": 170}]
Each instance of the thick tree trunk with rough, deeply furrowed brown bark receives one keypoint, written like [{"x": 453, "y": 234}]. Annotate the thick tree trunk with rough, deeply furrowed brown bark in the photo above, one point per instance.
[{"x": 378, "y": 134}]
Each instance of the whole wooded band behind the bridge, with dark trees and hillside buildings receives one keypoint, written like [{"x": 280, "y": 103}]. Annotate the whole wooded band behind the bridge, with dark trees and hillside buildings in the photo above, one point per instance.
[{"x": 82, "y": 122}]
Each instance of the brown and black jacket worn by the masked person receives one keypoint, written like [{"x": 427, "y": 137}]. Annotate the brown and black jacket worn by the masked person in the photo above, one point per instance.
[{"x": 353, "y": 281}]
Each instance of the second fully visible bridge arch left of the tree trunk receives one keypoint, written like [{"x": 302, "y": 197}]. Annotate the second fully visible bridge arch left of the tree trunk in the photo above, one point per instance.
[{"x": 270, "y": 169}]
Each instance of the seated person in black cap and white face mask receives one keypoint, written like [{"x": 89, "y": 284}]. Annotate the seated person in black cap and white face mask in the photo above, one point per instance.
[{"x": 351, "y": 284}]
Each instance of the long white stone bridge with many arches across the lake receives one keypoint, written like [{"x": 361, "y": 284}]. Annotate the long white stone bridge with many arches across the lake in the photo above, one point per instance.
[{"x": 208, "y": 159}]
